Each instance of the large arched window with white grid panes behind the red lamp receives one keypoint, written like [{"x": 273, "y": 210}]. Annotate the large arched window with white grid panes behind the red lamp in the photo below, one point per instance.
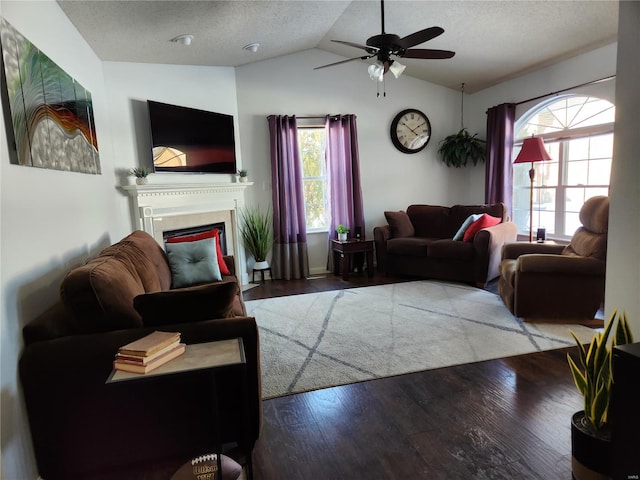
[{"x": 578, "y": 134}]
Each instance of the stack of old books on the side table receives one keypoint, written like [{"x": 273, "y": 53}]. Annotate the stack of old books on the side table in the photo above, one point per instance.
[{"x": 150, "y": 352}]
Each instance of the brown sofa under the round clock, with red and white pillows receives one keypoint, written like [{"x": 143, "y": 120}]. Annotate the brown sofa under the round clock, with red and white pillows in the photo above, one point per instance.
[{"x": 420, "y": 243}]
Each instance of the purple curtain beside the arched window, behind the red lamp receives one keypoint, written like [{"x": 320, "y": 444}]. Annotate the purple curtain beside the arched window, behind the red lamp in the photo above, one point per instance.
[{"x": 499, "y": 169}]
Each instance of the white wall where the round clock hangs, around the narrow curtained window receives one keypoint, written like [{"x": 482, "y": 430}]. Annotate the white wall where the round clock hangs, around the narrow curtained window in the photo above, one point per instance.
[{"x": 391, "y": 180}]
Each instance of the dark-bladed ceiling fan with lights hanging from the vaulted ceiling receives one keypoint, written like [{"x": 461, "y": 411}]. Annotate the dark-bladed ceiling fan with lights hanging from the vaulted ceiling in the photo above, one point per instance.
[{"x": 386, "y": 45}]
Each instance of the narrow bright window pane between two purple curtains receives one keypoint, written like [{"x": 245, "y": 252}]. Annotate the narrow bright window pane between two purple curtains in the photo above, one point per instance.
[{"x": 311, "y": 143}]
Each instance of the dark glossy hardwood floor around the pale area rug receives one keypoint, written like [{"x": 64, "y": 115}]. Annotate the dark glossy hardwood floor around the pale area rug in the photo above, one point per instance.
[{"x": 499, "y": 419}]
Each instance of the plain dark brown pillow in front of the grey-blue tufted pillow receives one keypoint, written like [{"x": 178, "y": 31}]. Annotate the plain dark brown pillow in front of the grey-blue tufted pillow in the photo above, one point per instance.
[{"x": 192, "y": 304}]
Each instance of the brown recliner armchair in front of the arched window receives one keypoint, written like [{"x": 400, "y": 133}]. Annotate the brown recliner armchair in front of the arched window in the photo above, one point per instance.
[{"x": 557, "y": 282}]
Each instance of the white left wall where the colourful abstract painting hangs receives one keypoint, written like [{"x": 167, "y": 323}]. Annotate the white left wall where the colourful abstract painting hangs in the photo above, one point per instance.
[{"x": 51, "y": 220}]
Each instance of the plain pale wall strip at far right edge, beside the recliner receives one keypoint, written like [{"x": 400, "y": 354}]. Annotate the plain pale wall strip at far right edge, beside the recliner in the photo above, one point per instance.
[{"x": 623, "y": 257}]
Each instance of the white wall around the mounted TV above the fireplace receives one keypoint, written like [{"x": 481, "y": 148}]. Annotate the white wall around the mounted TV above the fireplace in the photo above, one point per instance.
[{"x": 130, "y": 85}]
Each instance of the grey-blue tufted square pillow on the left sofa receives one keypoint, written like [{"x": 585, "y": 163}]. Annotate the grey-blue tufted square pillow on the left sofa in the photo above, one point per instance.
[{"x": 193, "y": 262}]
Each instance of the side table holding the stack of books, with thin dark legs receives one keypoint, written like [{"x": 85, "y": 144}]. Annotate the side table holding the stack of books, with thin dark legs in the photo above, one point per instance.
[{"x": 208, "y": 358}]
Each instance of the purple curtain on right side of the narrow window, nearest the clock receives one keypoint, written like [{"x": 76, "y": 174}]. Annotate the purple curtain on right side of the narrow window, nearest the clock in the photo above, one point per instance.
[{"x": 343, "y": 171}]
